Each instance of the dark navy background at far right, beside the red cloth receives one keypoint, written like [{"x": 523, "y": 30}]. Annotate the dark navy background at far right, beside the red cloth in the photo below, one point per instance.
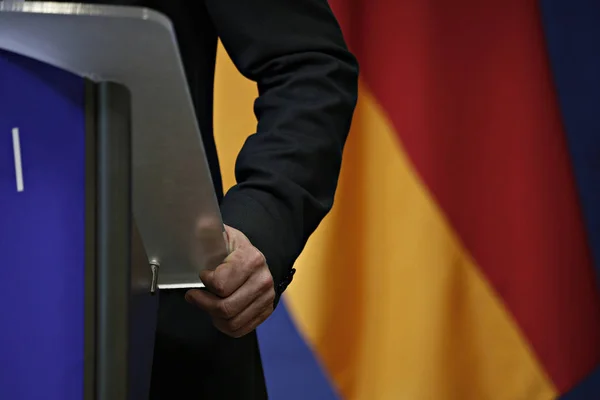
[{"x": 572, "y": 30}]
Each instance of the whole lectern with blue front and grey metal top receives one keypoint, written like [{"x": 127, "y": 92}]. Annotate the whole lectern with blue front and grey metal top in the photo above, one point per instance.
[{"x": 103, "y": 184}]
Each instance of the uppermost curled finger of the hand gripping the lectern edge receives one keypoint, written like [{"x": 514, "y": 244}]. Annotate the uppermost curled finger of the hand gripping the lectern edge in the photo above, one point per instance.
[{"x": 234, "y": 271}]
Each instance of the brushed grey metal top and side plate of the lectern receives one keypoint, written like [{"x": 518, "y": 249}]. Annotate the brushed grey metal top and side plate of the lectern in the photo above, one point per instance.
[{"x": 174, "y": 202}]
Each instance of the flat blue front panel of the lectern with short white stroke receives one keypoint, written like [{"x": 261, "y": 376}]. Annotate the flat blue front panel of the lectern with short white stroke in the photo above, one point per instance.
[{"x": 41, "y": 232}]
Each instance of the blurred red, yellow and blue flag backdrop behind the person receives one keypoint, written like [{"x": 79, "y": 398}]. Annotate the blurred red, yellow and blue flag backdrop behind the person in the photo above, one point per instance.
[{"x": 461, "y": 258}]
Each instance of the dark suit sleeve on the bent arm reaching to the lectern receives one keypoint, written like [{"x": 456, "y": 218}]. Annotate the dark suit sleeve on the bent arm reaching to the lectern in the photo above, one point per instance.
[{"x": 287, "y": 172}]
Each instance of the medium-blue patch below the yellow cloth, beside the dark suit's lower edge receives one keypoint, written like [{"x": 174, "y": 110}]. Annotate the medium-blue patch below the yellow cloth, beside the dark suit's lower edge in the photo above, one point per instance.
[{"x": 291, "y": 370}]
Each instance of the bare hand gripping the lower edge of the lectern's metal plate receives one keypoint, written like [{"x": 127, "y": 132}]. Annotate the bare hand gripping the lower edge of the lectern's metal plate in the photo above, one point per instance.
[{"x": 241, "y": 290}]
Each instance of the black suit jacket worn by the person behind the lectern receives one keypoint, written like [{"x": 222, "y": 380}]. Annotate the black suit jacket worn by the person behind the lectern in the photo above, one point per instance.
[{"x": 286, "y": 173}]
